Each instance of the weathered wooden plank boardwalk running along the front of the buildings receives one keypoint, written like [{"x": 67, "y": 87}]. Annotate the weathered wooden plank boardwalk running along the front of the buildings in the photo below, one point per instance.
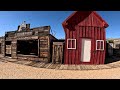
[{"x": 61, "y": 66}]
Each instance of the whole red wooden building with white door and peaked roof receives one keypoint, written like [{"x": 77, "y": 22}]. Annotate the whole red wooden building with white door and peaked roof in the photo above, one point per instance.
[{"x": 85, "y": 38}]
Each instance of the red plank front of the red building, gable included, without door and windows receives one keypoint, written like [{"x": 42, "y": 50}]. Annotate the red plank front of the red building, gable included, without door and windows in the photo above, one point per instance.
[{"x": 84, "y": 25}]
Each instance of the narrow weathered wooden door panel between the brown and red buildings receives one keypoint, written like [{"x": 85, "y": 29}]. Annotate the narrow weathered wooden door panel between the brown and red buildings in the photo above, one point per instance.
[{"x": 57, "y": 54}]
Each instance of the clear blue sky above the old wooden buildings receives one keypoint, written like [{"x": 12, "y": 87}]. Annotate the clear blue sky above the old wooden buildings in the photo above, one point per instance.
[{"x": 9, "y": 21}]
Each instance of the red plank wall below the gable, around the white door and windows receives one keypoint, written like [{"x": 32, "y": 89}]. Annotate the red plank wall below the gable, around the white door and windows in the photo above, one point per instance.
[{"x": 73, "y": 56}]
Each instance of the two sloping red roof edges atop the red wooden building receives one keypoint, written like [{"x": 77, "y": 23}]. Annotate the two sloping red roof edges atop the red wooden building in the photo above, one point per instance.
[{"x": 104, "y": 22}]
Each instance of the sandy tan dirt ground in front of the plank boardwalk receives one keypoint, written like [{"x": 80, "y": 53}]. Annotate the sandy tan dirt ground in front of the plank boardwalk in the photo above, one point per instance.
[{"x": 16, "y": 71}]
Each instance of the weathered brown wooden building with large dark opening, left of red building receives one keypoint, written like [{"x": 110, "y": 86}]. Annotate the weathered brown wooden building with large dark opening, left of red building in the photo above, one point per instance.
[{"x": 28, "y": 43}]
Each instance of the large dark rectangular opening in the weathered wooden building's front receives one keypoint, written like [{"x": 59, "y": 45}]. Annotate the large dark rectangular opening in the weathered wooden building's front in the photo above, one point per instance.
[{"x": 27, "y": 47}]
